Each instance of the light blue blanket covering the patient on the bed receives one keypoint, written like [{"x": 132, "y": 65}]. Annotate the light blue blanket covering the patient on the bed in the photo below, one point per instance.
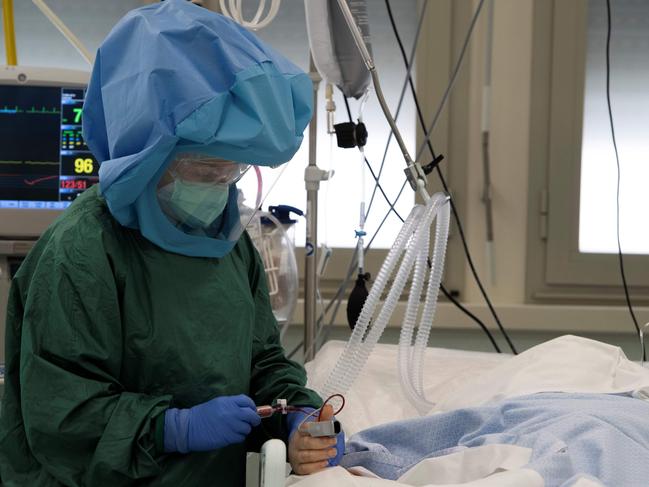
[{"x": 602, "y": 436}]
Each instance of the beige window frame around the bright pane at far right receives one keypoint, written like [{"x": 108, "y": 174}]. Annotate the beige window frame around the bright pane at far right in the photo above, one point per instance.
[{"x": 557, "y": 271}]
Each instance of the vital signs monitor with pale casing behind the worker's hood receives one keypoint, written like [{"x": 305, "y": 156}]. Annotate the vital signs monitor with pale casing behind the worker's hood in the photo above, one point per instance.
[{"x": 44, "y": 162}]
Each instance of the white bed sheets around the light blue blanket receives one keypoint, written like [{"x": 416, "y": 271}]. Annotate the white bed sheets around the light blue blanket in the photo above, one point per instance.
[{"x": 456, "y": 379}]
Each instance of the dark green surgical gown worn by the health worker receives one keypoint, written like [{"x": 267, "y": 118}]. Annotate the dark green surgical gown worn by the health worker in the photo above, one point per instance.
[{"x": 105, "y": 331}]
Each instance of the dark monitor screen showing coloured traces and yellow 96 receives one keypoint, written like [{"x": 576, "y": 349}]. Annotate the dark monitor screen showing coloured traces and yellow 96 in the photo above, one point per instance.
[{"x": 44, "y": 161}]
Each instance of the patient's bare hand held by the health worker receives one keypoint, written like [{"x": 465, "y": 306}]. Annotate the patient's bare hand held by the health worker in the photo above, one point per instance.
[{"x": 308, "y": 455}]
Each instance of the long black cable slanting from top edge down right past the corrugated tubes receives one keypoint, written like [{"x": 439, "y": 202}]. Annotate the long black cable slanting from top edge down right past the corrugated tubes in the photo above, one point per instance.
[{"x": 456, "y": 216}]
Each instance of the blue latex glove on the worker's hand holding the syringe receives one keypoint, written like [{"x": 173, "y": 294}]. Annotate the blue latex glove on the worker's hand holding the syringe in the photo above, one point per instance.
[{"x": 214, "y": 424}]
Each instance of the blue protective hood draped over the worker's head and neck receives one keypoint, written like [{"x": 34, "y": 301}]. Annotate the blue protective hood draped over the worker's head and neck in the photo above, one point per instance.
[{"x": 174, "y": 77}]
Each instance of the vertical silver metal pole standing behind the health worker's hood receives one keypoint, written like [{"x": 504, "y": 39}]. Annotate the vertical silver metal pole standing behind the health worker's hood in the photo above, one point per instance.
[{"x": 312, "y": 178}]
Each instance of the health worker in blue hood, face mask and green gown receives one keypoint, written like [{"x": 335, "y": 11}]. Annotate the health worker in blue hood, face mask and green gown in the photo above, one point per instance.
[{"x": 140, "y": 336}]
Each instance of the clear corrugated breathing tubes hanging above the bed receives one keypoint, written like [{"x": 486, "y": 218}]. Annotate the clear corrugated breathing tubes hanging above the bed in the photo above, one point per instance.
[{"x": 411, "y": 250}]
